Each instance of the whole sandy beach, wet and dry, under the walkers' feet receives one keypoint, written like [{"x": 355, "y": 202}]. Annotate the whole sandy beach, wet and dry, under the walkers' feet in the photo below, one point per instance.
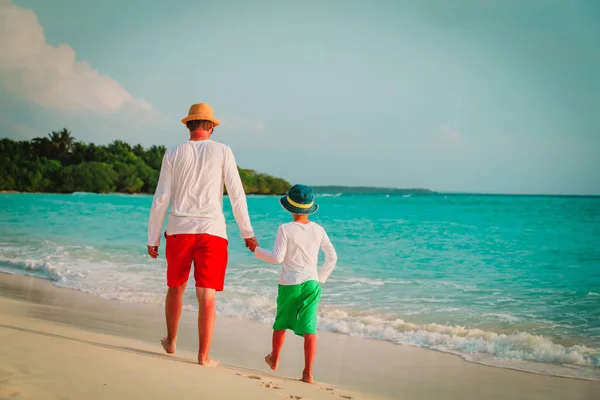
[{"x": 61, "y": 344}]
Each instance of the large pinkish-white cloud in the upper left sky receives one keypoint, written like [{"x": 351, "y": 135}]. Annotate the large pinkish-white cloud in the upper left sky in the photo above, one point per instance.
[{"x": 51, "y": 76}]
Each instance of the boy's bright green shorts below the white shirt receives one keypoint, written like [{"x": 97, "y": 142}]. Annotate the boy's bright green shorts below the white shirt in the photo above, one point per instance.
[{"x": 297, "y": 307}]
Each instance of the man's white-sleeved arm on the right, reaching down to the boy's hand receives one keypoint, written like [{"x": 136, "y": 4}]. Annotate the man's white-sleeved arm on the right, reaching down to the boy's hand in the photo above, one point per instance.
[{"x": 237, "y": 197}]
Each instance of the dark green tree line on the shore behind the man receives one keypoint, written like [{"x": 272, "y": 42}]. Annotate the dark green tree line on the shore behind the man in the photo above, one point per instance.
[{"x": 61, "y": 164}]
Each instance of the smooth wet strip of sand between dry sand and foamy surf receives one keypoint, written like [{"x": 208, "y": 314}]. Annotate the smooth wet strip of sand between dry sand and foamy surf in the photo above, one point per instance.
[{"x": 361, "y": 365}]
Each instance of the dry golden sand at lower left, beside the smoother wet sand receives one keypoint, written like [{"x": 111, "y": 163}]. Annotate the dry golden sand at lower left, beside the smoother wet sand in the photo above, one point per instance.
[{"x": 41, "y": 360}]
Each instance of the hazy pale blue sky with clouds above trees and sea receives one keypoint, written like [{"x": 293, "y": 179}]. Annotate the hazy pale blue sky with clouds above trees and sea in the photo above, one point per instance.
[{"x": 461, "y": 96}]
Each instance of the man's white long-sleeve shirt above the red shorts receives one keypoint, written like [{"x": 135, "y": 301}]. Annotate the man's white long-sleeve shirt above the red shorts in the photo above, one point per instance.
[{"x": 192, "y": 176}]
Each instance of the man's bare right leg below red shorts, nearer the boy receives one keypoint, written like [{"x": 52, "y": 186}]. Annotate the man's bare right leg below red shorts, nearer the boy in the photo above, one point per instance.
[{"x": 206, "y": 324}]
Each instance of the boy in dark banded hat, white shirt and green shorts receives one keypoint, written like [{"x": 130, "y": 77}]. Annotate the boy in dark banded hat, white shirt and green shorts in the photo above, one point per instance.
[{"x": 297, "y": 248}]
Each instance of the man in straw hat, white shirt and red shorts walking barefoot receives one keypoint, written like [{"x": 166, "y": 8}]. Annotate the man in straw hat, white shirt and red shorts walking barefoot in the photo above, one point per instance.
[{"x": 192, "y": 176}]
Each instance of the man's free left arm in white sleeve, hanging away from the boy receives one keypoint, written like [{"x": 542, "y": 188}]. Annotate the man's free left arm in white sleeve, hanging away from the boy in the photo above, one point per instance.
[{"x": 160, "y": 205}]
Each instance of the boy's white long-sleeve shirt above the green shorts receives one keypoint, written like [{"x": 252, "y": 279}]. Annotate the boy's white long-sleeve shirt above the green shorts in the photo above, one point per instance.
[{"x": 297, "y": 248}]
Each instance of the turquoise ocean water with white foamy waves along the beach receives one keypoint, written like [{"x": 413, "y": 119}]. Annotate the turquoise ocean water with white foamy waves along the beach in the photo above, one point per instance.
[{"x": 512, "y": 281}]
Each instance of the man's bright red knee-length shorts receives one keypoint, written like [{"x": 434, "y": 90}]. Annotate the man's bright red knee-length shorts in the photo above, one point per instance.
[{"x": 209, "y": 254}]
